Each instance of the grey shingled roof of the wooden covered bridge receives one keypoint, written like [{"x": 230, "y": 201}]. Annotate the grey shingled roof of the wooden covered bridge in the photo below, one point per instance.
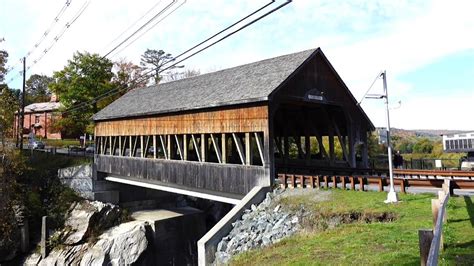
[{"x": 247, "y": 83}]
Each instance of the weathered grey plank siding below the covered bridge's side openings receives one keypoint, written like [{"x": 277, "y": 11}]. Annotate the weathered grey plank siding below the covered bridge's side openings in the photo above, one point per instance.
[{"x": 226, "y": 178}]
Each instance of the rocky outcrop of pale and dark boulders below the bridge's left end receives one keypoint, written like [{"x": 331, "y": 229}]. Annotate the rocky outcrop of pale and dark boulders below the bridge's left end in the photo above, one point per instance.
[{"x": 92, "y": 236}]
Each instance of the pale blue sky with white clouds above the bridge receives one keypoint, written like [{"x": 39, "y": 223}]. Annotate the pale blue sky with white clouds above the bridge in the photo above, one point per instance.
[{"x": 426, "y": 47}]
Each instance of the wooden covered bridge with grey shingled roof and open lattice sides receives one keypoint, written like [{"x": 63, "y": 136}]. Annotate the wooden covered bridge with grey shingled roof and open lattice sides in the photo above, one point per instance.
[{"x": 220, "y": 134}]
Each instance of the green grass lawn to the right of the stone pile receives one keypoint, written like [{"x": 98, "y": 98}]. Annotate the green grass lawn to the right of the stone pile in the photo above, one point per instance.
[{"x": 361, "y": 243}]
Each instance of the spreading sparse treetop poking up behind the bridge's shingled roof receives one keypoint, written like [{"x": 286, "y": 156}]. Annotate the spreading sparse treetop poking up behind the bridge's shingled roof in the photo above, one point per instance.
[{"x": 153, "y": 60}]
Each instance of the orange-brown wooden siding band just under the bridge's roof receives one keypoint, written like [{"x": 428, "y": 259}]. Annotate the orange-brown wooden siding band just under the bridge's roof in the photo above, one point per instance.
[{"x": 243, "y": 119}]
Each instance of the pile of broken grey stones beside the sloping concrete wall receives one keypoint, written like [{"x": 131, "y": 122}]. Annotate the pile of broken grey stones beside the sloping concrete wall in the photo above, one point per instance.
[{"x": 260, "y": 226}]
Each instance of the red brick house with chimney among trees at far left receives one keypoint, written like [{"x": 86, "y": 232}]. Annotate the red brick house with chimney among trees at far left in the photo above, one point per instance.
[{"x": 38, "y": 119}]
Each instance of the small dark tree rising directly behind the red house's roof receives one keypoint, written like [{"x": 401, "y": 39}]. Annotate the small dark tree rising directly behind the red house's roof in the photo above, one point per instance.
[{"x": 37, "y": 89}]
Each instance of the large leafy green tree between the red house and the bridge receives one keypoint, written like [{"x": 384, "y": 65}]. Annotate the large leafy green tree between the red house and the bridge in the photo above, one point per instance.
[{"x": 82, "y": 80}]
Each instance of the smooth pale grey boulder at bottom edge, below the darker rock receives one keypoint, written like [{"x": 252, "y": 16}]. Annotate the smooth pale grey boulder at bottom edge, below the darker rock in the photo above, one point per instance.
[{"x": 121, "y": 245}]
